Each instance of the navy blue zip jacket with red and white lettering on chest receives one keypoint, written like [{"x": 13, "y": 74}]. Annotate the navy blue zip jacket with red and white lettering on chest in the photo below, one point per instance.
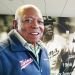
[{"x": 17, "y": 60}]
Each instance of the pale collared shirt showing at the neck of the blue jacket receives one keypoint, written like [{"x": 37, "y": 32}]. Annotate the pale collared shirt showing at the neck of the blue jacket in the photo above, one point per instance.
[{"x": 29, "y": 46}]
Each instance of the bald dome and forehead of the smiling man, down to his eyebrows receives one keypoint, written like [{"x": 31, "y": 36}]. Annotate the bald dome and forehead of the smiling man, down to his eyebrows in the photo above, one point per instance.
[{"x": 28, "y": 11}]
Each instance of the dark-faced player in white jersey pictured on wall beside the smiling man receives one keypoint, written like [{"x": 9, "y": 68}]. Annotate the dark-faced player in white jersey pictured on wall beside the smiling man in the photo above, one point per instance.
[{"x": 54, "y": 44}]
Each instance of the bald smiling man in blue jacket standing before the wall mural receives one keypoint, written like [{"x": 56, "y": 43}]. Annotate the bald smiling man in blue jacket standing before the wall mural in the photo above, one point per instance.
[{"x": 22, "y": 53}]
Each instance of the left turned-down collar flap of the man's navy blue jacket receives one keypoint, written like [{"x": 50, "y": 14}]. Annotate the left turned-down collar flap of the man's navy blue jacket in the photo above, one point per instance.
[{"x": 15, "y": 44}]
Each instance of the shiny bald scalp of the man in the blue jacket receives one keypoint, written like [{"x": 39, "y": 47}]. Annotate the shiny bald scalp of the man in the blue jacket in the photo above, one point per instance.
[{"x": 22, "y": 10}]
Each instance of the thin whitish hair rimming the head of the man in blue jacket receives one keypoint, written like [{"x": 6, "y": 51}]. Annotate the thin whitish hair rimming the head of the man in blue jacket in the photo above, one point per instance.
[{"x": 21, "y": 9}]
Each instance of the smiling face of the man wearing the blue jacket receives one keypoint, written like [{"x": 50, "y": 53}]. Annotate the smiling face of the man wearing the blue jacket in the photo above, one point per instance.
[{"x": 30, "y": 25}]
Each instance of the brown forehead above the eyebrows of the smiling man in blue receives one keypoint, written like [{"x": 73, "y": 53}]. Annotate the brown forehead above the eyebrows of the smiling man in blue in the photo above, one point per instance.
[{"x": 31, "y": 12}]
